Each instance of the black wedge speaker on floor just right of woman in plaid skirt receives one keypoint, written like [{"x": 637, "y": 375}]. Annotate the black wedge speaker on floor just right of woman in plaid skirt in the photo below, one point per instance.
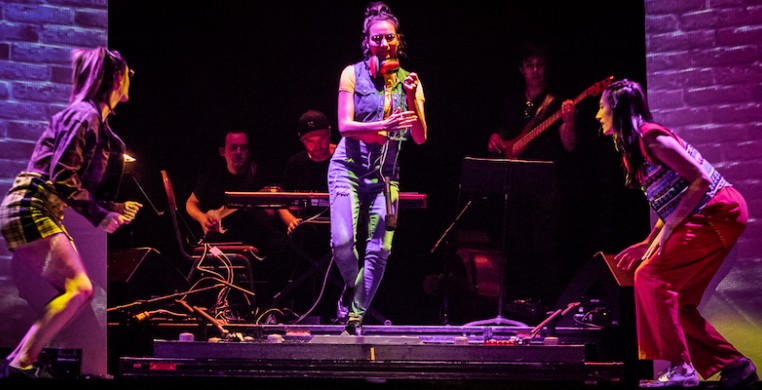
[{"x": 141, "y": 273}]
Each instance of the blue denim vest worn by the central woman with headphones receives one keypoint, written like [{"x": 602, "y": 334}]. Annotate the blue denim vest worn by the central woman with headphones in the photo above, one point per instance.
[{"x": 369, "y": 107}]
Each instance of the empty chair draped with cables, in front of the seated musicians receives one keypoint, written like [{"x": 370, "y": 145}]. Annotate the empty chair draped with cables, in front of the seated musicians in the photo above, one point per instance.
[{"x": 213, "y": 258}]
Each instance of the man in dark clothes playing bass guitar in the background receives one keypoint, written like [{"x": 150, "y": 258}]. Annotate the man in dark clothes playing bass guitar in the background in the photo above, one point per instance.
[{"x": 535, "y": 263}]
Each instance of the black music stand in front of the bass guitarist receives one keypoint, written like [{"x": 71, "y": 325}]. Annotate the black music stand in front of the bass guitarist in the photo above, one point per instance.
[{"x": 496, "y": 176}]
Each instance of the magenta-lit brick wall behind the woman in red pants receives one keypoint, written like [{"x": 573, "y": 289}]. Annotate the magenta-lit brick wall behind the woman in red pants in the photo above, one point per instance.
[{"x": 704, "y": 66}]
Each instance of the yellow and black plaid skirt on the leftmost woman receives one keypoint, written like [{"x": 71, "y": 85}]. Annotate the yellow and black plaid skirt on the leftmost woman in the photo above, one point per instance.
[{"x": 31, "y": 210}]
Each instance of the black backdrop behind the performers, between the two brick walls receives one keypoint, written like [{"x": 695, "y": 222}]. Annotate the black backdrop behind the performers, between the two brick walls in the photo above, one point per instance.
[{"x": 206, "y": 68}]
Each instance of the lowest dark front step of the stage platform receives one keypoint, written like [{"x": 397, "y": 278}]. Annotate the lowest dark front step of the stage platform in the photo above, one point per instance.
[{"x": 408, "y": 370}]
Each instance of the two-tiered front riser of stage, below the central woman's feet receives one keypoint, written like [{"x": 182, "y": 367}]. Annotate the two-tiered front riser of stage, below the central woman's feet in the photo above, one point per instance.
[{"x": 365, "y": 357}]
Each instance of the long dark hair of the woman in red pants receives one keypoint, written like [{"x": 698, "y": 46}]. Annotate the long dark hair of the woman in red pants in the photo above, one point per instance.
[{"x": 630, "y": 111}]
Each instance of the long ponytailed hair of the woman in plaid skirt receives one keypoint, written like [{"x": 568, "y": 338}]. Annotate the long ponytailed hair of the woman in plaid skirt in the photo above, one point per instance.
[{"x": 94, "y": 73}]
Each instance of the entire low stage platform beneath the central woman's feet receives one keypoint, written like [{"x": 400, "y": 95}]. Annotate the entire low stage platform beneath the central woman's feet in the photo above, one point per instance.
[{"x": 383, "y": 353}]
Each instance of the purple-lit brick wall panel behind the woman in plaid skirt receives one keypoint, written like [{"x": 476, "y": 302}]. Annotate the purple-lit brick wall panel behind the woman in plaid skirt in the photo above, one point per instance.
[{"x": 35, "y": 79}]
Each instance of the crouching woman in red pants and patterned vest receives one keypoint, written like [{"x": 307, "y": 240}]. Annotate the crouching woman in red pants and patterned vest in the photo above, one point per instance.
[{"x": 700, "y": 218}]
